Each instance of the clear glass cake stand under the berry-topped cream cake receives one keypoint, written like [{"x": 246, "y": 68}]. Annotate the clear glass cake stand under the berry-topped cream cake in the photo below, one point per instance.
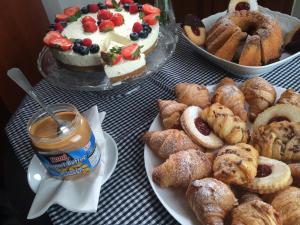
[{"x": 98, "y": 81}]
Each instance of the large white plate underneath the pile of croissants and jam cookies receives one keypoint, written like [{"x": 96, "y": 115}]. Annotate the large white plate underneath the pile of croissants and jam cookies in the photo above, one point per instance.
[{"x": 174, "y": 200}]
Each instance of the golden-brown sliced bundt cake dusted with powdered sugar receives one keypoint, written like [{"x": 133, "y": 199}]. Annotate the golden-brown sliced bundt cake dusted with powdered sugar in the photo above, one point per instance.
[{"x": 263, "y": 42}]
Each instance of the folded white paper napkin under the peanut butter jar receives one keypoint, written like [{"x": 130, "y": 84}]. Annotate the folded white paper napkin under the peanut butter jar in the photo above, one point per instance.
[{"x": 79, "y": 195}]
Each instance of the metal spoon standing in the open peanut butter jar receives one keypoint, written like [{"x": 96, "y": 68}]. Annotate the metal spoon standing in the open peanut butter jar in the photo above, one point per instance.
[{"x": 20, "y": 79}]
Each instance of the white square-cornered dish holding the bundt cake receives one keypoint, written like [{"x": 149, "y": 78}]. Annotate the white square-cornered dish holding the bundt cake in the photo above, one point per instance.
[{"x": 287, "y": 23}]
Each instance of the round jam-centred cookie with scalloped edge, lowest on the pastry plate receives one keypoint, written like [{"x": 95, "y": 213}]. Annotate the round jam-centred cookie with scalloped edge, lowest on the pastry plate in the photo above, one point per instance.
[{"x": 272, "y": 176}]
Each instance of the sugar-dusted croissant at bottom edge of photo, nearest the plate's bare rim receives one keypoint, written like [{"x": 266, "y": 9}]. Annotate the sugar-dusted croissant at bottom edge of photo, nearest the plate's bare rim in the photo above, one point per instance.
[{"x": 211, "y": 200}]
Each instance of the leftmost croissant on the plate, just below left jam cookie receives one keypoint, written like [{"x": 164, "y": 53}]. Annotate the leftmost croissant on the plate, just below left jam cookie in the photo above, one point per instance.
[{"x": 164, "y": 143}]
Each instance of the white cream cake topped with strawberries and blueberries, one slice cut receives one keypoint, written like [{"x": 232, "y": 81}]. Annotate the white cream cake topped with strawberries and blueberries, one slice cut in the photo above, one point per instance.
[{"x": 80, "y": 39}]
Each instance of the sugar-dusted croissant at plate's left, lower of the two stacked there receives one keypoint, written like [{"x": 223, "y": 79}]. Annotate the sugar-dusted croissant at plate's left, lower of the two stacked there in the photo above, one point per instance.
[{"x": 181, "y": 168}]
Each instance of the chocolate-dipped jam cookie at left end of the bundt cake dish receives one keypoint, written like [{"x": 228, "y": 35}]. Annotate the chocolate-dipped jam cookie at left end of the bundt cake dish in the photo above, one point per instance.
[{"x": 194, "y": 29}]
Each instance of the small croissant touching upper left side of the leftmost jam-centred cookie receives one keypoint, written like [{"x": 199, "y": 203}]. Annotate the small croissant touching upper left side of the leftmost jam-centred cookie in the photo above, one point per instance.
[{"x": 170, "y": 112}]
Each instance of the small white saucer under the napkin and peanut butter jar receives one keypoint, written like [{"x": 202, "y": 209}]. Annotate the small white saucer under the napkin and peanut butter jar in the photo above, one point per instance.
[{"x": 37, "y": 172}]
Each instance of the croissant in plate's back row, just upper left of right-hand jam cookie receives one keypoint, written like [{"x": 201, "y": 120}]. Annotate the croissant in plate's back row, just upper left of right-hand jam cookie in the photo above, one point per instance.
[{"x": 259, "y": 94}]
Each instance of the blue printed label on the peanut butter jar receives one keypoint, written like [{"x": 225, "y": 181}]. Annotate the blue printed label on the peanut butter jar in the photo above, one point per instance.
[{"x": 82, "y": 160}]
